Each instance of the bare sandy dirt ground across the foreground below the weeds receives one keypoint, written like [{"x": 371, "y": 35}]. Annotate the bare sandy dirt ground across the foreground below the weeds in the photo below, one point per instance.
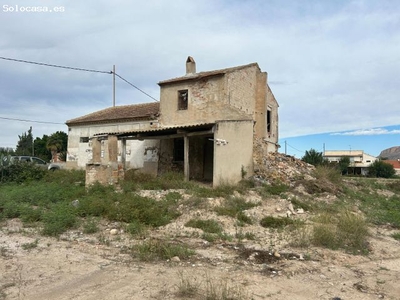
[{"x": 96, "y": 266}]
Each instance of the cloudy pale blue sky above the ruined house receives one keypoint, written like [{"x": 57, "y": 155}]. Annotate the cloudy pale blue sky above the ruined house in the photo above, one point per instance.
[{"x": 332, "y": 65}]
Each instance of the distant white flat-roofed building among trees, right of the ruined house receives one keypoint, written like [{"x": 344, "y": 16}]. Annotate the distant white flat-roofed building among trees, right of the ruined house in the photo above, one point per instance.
[{"x": 359, "y": 160}]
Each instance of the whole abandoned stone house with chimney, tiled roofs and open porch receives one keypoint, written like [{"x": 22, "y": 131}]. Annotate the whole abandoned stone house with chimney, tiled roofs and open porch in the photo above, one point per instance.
[{"x": 205, "y": 125}]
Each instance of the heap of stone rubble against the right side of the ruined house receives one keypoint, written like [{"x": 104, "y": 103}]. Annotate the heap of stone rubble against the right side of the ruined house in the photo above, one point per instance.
[{"x": 277, "y": 167}]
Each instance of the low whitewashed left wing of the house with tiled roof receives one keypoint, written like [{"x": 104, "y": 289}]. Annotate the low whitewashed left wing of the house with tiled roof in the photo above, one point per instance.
[{"x": 113, "y": 119}]
